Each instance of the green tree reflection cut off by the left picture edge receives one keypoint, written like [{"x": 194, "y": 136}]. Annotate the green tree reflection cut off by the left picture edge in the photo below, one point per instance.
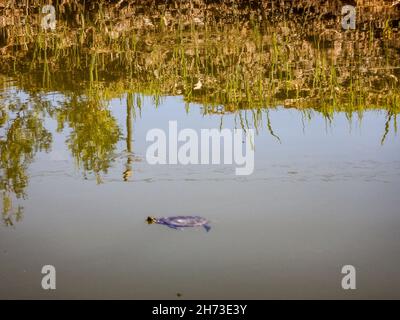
[{"x": 22, "y": 135}]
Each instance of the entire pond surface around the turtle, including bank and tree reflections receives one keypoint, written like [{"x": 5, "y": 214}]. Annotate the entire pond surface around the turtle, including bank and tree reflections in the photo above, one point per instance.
[{"x": 78, "y": 100}]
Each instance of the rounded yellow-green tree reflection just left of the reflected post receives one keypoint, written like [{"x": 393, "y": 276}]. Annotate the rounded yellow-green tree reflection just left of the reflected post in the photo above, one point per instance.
[{"x": 94, "y": 134}]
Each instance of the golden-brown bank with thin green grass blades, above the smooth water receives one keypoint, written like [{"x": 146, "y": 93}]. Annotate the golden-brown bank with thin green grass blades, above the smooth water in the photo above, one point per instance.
[{"x": 238, "y": 56}]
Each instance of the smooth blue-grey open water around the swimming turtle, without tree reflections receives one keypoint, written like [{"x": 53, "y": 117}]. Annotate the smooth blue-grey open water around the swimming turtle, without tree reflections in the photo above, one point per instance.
[{"x": 323, "y": 195}]
